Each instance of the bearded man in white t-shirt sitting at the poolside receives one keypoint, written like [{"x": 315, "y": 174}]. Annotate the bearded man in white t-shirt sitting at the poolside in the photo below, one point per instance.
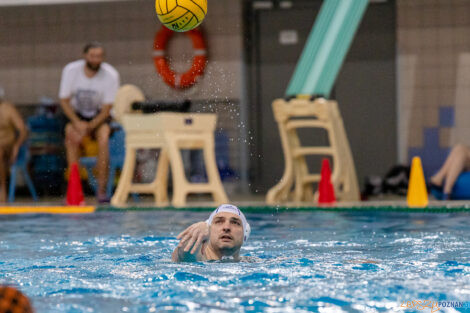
[{"x": 87, "y": 91}]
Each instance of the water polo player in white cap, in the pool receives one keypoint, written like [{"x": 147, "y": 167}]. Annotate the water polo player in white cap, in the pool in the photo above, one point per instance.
[{"x": 221, "y": 236}]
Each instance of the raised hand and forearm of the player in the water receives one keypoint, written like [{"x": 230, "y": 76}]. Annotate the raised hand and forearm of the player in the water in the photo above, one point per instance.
[{"x": 191, "y": 242}]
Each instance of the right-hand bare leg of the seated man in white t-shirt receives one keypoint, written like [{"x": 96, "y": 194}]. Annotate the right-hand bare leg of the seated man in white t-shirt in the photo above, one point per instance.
[{"x": 102, "y": 136}]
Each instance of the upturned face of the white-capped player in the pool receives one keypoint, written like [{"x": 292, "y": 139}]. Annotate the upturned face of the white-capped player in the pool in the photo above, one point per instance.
[{"x": 227, "y": 232}]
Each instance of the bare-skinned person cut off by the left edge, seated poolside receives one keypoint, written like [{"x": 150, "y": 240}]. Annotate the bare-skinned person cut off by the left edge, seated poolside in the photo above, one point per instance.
[{"x": 12, "y": 135}]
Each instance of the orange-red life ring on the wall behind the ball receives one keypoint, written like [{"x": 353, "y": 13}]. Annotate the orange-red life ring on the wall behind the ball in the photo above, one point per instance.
[{"x": 173, "y": 79}]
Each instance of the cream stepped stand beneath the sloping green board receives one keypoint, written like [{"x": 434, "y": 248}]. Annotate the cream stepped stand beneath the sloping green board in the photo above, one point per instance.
[{"x": 319, "y": 113}]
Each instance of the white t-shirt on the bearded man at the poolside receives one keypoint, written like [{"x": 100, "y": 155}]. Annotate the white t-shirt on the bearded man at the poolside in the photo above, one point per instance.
[{"x": 88, "y": 95}]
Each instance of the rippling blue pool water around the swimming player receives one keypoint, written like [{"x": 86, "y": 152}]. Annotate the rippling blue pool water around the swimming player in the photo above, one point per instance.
[{"x": 362, "y": 261}]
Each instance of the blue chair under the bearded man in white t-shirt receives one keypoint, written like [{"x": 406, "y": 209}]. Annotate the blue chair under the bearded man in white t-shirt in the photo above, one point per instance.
[{"x": 117, "y": 151}]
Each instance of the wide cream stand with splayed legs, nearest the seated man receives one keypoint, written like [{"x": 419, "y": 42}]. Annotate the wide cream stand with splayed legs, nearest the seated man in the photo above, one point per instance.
[{"x": 169, "y": 132}]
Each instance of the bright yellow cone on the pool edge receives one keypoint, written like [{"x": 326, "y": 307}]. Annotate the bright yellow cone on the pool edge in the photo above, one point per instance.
[{"x": 417, "y": 194}]
